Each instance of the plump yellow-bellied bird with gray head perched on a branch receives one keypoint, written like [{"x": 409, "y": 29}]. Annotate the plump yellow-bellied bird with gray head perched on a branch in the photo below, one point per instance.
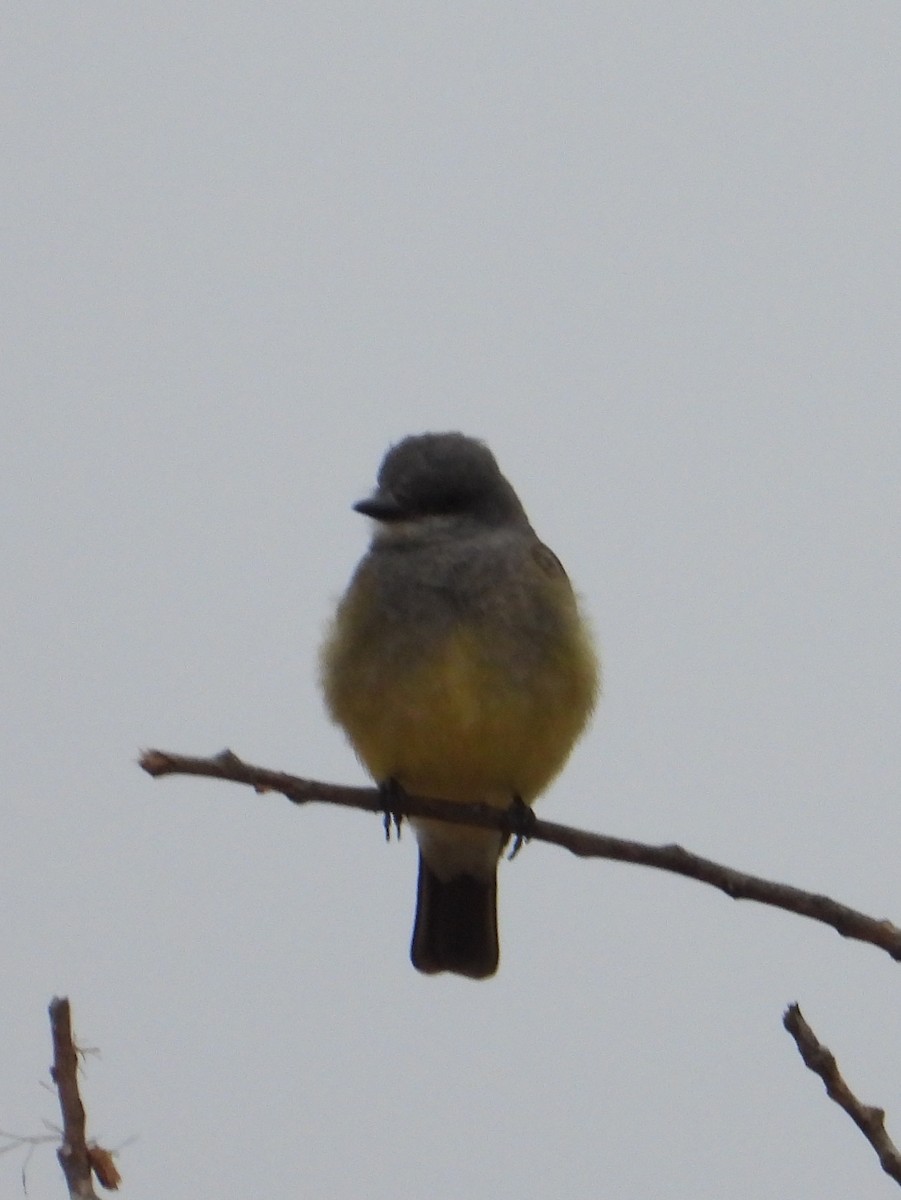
[{"x": 460, "y": 667}]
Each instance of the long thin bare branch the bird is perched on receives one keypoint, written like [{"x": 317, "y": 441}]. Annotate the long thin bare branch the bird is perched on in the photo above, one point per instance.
[{"x": 737, "y": 885}]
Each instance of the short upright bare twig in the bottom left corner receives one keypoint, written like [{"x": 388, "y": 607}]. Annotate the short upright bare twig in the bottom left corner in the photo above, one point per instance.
[{"x": 79, "y": 1159}]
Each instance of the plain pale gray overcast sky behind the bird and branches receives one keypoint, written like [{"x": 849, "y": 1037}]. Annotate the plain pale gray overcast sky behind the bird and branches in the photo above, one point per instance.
[{"x": 651, "y": 254}]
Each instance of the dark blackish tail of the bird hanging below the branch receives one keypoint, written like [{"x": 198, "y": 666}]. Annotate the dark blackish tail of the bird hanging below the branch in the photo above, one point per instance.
[{"x": 456, "y": 925}]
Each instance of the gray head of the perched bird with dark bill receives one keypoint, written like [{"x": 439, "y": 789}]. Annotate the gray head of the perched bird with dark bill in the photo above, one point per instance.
[{"x": 442, "y": 475}]
